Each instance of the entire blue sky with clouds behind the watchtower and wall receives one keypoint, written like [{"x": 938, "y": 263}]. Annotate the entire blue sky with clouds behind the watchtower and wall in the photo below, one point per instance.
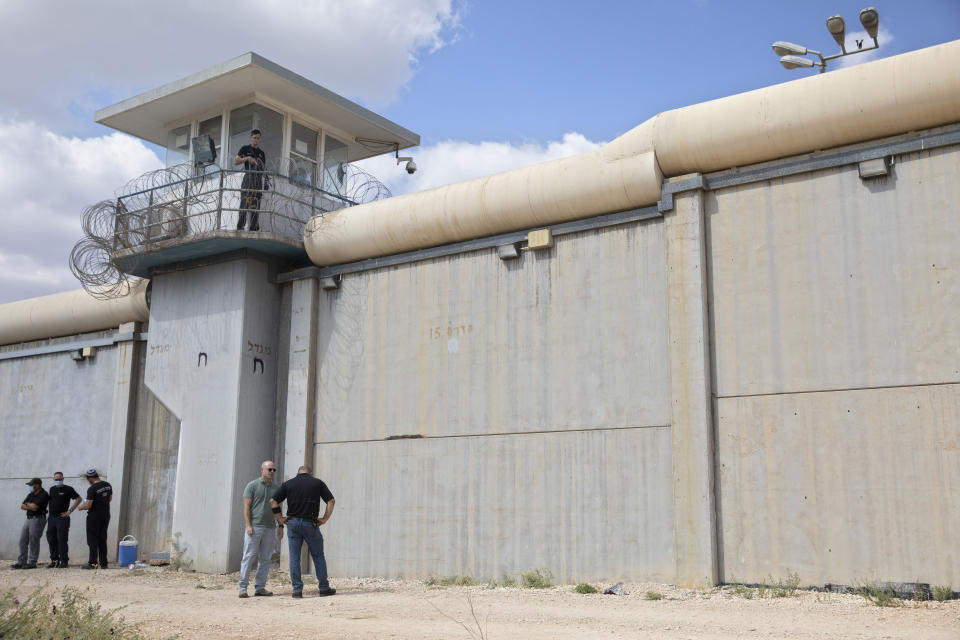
[{"x": 489, "y": 85}]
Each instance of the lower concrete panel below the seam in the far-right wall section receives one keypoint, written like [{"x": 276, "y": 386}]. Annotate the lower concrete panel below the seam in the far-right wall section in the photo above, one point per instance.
[{"x": 841, "y": 486}]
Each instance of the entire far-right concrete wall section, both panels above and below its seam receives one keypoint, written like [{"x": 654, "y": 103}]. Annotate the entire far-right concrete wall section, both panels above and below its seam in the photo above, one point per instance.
[{"x": 835, "y": 306}]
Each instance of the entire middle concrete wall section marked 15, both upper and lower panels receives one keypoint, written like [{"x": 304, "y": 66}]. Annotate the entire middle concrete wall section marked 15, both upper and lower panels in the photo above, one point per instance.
[{"x": 538, "y": 392}]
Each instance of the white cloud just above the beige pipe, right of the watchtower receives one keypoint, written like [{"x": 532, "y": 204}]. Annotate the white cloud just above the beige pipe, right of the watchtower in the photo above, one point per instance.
[{"x": 454, "y": 161}]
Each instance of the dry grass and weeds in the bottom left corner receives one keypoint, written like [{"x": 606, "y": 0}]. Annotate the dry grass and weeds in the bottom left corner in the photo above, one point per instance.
[{"x": 41, "y": 615}]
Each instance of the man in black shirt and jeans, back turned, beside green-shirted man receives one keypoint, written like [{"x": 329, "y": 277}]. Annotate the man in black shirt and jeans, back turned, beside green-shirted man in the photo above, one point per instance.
[{"x": 303, "y": 494}]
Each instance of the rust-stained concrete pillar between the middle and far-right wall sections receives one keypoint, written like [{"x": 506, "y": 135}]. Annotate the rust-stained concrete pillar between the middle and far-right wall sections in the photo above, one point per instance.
[{"x": 690, "y": 393}]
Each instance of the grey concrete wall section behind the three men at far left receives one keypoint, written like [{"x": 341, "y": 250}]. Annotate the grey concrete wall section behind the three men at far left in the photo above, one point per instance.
[{"x": 54, "y": 416}]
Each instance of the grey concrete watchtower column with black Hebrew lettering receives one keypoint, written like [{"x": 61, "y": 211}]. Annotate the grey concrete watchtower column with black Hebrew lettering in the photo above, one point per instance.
[{"x": 212, "y": 360}]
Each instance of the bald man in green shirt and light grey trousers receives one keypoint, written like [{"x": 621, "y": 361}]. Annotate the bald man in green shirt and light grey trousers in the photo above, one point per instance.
[{"x": 261, "y": 530}]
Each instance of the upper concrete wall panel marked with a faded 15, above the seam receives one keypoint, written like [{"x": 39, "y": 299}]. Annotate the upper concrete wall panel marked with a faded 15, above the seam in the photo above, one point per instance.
[{"x": 569, "y": 338}]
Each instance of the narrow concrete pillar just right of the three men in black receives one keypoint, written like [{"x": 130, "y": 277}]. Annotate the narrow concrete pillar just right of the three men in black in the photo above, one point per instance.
[{"x": 121, "y": 421}]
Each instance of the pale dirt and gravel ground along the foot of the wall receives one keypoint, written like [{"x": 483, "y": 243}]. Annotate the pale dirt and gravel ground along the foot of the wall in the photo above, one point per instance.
[{"x": 190, "y": 605}]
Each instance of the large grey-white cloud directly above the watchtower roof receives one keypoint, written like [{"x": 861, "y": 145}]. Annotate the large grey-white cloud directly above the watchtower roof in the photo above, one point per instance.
[{"x": 74, "y": 57}]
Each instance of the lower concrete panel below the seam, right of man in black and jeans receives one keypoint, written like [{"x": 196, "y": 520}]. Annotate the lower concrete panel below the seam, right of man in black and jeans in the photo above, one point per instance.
[{"x": 588, "y": 505}]
